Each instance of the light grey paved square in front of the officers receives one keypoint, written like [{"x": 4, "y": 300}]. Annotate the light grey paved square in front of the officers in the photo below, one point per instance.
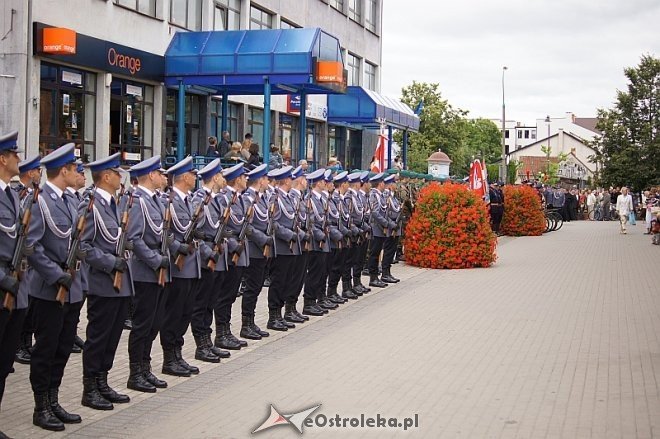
[{"x": 558, "y": 339}]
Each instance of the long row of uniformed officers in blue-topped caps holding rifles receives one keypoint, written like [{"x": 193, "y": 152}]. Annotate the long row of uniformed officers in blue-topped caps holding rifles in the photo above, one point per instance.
[{"x": 174, "y": 248}]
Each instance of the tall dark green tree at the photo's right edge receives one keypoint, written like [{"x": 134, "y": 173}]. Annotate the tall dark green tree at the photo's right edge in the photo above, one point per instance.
[{"x": 629, "y": 148}]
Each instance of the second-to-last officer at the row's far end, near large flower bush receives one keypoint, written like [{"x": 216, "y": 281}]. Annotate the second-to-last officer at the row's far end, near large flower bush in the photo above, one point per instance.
[{"x": 380, "y": 224}]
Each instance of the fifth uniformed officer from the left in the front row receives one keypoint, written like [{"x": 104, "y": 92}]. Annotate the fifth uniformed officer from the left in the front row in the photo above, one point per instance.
[{"x": 179, "y": 293}]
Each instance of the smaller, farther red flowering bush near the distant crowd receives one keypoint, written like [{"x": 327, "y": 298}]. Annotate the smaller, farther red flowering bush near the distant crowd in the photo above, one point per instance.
[{"x": 522, "y": 212}]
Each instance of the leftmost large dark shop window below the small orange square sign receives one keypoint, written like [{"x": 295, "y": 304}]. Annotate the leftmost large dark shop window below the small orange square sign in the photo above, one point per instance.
[{"x": 67, "y": 110}]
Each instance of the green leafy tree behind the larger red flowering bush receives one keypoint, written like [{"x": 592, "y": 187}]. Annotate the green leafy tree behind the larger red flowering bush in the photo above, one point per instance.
[{"x": 441, "y": 126}]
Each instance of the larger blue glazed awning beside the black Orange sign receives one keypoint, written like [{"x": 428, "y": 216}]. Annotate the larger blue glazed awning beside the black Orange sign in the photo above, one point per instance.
[{"x": 238, "y": 61}]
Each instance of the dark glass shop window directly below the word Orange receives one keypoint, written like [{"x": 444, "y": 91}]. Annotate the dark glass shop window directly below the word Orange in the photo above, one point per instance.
[{"x": 131, "y": 120}]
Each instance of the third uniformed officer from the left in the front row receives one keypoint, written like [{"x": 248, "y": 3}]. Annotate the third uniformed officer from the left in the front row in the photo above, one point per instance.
[{"x": 107, "y": 308}]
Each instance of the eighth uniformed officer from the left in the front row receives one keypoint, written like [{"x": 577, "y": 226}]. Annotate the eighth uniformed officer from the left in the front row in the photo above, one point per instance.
[{"x": 258, "y": 239}]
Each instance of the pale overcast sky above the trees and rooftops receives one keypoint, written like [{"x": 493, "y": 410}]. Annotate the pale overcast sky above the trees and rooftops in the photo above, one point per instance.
[{"x": 561, "y": 55}]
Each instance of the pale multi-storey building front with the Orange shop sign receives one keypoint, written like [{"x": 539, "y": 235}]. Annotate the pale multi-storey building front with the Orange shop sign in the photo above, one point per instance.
[{"x": 109, "y": 96}]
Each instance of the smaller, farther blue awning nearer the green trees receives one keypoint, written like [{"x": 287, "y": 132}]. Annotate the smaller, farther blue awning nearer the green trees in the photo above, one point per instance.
[{"x": 364, "y": 107}]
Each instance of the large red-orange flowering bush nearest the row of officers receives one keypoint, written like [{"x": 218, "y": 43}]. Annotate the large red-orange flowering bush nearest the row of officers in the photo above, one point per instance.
[{"x": 449, "y": 229}]
